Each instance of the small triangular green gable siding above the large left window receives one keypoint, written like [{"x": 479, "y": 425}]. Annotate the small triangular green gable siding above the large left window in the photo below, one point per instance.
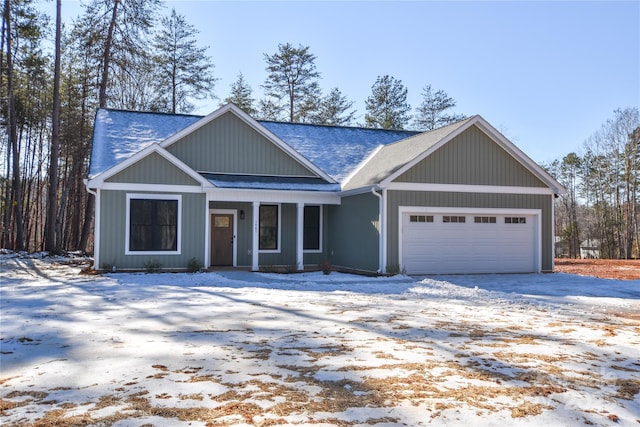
[{"x": 153, "y": 169}]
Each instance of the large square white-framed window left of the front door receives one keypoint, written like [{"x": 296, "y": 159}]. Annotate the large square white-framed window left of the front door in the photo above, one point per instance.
[{"x": 153, "y": 224}]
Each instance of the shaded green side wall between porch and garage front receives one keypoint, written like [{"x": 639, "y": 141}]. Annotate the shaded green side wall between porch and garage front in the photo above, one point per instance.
[{"x": 355, "y": 232}]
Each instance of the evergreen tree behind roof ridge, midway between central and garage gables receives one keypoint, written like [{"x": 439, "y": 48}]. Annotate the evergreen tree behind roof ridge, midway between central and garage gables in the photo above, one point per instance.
[{"x": 387, "y": 106}]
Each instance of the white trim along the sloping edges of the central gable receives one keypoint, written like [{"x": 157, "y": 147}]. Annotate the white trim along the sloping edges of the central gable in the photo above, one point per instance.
[{"x": 231, "y": 108}]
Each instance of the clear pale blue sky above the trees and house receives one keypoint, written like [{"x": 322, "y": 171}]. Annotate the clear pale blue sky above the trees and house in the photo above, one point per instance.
[{"x": 547, "y": 74}]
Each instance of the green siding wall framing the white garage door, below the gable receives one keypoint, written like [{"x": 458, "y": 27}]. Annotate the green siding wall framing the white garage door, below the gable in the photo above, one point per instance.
[{"x": 473, "y": 200}]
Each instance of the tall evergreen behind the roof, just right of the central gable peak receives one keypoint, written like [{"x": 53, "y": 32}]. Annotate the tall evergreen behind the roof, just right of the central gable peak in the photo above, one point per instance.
[{"x": 292, "y": 82}]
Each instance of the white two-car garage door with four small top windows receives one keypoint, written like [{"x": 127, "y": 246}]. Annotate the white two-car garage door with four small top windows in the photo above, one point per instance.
[{"x": 449, "y": 243}]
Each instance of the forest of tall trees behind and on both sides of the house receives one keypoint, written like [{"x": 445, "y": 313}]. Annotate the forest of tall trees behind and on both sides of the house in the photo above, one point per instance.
[{"x": 135, "y": 55}]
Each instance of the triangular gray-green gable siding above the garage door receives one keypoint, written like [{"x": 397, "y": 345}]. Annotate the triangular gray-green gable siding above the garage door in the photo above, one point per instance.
[{"x": 471, "y": 158}]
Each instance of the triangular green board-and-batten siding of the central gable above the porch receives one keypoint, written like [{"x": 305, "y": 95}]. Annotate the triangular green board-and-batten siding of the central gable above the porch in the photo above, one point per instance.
[{"x": 229, "y": 145}]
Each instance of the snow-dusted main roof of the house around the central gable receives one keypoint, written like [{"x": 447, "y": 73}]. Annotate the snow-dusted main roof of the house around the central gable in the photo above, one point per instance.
[{"x": 333, "y": 152}]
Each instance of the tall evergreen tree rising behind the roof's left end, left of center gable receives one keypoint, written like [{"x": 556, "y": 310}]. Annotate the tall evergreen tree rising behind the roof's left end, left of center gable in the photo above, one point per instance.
[{"x": 183, "y": 70}]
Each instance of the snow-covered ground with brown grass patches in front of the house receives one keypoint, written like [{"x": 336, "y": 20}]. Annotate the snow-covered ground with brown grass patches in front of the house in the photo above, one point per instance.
[{"x": 239, "y": 348}]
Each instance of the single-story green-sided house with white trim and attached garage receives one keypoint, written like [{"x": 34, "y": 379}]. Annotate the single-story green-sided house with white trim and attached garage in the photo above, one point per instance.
[{"x": 227, "y": 190}]
